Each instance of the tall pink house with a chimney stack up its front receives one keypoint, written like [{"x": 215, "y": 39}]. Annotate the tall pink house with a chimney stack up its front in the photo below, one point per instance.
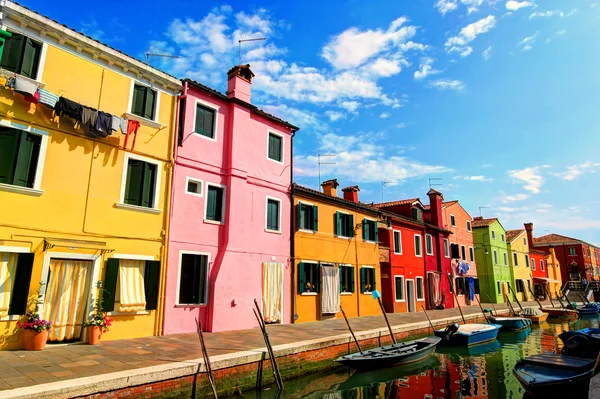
[{"x": 229, "y": 239}]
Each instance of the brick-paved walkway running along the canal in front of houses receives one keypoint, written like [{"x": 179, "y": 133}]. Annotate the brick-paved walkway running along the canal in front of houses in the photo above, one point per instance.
[{"x": 64, "y": 362}]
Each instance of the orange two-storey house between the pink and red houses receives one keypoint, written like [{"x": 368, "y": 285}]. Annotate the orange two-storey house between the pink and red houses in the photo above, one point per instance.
[{"x": 335, "y": 254}]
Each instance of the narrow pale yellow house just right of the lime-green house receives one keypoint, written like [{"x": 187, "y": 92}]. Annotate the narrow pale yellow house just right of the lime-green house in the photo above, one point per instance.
[{"x": 520, "y": 265}]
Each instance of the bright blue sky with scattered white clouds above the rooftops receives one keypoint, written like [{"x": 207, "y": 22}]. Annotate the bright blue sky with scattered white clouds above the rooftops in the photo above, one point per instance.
[{"x": 499, "y": 99}]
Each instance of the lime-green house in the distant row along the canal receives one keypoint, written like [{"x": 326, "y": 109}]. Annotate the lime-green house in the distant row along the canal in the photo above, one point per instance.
[{"x": 491, "y": 256}]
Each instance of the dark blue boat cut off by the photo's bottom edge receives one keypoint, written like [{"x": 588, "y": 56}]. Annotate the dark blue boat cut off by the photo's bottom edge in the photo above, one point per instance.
[{"x": 550, "y": 375}]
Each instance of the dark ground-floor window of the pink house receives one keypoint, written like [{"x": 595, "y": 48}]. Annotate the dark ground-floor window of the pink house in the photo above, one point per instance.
[{"x": 193, "y": 279}]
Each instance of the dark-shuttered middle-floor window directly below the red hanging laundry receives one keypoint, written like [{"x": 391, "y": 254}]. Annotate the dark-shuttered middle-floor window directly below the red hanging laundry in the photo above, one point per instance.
[{"x": 140, "y": 184}]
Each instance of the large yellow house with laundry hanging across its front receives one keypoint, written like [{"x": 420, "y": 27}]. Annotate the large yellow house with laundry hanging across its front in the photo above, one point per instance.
[{"x": 79, "y": 207}]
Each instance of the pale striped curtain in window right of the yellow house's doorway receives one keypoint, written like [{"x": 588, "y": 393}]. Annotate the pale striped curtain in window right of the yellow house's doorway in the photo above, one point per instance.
[{"x": 132, "y": 295}]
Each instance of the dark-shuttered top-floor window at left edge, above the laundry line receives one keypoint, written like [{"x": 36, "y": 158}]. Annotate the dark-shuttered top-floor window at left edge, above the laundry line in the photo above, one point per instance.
[{"x": 21, "y": 55}]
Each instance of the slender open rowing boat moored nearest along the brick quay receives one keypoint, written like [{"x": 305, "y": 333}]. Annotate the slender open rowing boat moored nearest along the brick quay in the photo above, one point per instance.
[{"x": 395, "y": 354}]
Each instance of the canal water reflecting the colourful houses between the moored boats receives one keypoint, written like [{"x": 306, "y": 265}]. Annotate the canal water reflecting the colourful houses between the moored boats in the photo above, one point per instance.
[{"x": 482, "y": 371}]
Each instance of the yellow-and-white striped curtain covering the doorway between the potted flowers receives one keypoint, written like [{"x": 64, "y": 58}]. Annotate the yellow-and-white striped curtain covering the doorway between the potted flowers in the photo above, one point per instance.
[{"x": 67, "y": 297}]
